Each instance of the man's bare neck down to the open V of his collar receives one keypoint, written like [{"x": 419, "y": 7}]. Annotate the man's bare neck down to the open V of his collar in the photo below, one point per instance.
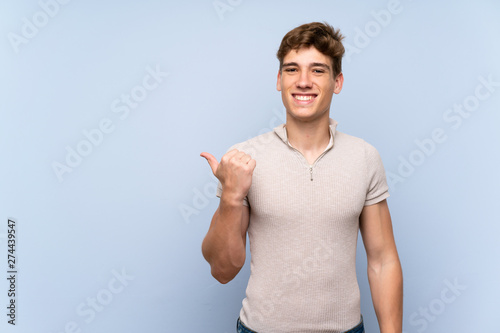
[{"x": 310, "y": 138}]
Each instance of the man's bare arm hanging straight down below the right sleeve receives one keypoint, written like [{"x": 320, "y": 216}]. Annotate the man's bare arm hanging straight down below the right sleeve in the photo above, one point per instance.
[{"x": 384, "y": 269}]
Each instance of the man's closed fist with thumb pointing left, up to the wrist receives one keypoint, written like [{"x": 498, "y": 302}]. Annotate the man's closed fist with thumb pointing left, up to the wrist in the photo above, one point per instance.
[{"x": 234, "y": 172}]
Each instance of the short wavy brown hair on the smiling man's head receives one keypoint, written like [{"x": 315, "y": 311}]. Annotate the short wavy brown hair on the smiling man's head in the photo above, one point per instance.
[{"x": 322, "y": 36}]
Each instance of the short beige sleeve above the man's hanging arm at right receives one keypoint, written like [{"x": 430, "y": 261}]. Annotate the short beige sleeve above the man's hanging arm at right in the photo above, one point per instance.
[{"x": 377, "y": 189}]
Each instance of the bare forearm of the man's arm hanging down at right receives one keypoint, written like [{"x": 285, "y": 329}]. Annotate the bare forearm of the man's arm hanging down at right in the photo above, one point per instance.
[{"x": 386, "y": 284}]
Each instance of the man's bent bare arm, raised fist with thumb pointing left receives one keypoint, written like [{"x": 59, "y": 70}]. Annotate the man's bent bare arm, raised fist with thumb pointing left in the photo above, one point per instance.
[{"x": 224, "y": 246}]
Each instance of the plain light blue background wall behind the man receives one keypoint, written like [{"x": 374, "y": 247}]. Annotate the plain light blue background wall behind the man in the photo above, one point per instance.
[{"x": 140, "y": 202}]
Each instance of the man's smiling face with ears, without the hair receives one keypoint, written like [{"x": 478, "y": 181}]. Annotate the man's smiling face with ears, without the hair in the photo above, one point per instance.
[{"x": 307, "y": 84}]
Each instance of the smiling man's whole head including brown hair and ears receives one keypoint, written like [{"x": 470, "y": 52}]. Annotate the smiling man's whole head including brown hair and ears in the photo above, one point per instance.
[{"x": 310, "y": 71}]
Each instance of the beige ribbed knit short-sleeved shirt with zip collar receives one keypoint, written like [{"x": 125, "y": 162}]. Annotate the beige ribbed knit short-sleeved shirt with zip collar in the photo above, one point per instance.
[{"x": 303, "y": 230}]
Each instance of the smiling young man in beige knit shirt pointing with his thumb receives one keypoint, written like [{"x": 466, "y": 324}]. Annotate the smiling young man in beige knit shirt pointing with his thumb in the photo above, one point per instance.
[{"x": 302, "y": 192}]
